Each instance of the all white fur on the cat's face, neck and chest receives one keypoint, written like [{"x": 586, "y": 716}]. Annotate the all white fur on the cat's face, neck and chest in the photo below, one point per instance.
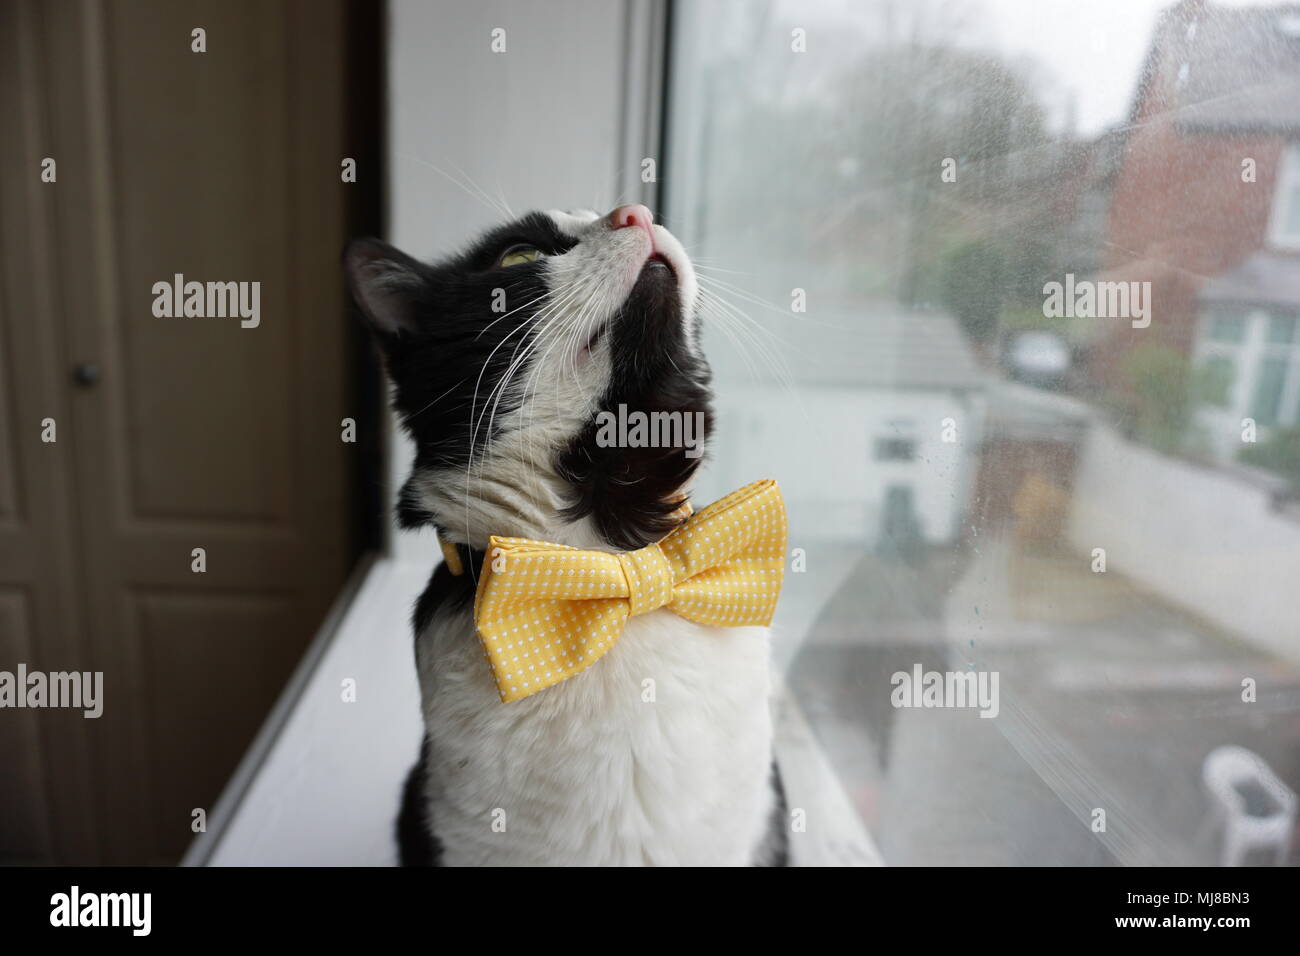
[{"x": 588, "y": 772}]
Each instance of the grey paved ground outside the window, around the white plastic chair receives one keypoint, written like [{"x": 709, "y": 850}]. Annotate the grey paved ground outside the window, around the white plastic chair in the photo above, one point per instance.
[{"x": 1110, "y": 700}]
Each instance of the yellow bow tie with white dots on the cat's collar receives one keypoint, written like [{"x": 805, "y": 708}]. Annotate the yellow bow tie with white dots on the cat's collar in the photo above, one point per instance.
[{"x": 548, "y": 612}]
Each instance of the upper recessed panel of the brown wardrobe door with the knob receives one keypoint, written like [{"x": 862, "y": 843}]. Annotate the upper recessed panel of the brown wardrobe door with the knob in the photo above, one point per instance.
[{"x": 200, "y": 183}]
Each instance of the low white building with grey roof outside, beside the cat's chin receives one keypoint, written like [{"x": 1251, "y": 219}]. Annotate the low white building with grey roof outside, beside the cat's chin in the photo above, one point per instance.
[{"x": 883, "y": 431}]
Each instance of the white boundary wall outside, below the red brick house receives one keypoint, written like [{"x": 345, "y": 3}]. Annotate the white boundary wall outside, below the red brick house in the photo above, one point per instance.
[{"x": 1198, "y": 538}]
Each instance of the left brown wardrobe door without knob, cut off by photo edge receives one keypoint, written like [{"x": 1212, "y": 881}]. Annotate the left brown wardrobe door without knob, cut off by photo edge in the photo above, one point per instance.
[{"x": 46, "y": 780}]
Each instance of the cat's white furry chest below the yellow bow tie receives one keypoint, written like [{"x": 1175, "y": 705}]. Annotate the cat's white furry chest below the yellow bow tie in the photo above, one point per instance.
[{"x": 658, "y": 752}]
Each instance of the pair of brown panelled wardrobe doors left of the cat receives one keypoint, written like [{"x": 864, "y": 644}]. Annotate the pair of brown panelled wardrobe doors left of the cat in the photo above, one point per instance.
[{"x": 179, "y": 438}]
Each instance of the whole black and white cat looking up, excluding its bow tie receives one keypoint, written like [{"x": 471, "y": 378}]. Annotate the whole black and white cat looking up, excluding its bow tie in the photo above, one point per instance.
[{"x": 501, "y": 360}]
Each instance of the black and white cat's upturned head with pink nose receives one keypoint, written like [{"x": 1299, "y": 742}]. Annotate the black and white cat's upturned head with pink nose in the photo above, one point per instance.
[{"x": 525, "y": 366}]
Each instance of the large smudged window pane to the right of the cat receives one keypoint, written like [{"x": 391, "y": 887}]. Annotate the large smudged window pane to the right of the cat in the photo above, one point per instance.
[{"x": 917, "y": 183}]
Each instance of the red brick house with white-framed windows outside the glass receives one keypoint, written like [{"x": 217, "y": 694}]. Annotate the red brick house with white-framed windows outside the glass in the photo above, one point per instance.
[{"x": 1207, "y": 207}]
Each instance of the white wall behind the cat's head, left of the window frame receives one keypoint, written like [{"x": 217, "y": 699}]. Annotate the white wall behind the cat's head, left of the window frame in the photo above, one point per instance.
[{"x": 538, "y": 127}]
